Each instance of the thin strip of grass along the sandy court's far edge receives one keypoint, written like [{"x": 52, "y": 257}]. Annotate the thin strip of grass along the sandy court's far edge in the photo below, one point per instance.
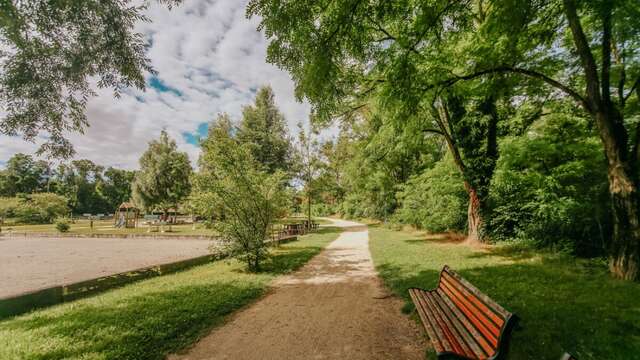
[{"x": 106, "y": 227}]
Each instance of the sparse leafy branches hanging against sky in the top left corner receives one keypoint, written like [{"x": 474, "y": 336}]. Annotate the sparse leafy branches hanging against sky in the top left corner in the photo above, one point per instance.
[{"x": 51, "y": 50}]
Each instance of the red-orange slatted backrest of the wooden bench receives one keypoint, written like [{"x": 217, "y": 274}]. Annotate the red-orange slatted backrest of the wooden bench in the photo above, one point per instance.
[{"x": 481, "y": 316}]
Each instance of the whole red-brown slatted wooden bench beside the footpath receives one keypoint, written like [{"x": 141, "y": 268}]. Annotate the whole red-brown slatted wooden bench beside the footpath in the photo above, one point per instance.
[{"x": 462, "y": 322}]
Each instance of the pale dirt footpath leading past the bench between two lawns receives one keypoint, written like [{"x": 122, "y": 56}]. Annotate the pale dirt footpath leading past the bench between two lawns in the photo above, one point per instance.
[{"x": 333, "y": 308}]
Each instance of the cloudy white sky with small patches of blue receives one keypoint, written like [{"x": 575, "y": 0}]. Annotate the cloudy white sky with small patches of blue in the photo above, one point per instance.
[{"x": 210, "y": 59}]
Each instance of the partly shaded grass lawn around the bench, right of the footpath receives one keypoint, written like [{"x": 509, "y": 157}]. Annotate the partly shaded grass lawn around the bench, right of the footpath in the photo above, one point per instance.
[{"x": 564, "y": 304}]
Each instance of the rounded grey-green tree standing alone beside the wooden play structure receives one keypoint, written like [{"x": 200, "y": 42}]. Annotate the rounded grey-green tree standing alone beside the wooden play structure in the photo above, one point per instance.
[{"x": 163, "y": 179}]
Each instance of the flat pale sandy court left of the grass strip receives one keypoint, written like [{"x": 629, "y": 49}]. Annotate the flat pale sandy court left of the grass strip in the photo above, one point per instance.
[{"x": 28, "y": 264}]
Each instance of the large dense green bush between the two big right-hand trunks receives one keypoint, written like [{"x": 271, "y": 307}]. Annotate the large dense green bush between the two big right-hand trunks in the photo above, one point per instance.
[{"x": 550, "y": 187}]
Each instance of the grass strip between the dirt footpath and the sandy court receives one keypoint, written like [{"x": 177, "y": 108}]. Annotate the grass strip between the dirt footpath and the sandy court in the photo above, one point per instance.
[{"x": 151, "y": 318}]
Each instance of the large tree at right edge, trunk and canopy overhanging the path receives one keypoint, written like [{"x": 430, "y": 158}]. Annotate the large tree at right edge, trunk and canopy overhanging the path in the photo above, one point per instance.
[{"x": 410, "y": 52}]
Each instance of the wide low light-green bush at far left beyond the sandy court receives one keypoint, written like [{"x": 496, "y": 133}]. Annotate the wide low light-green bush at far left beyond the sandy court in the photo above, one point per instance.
[{"x": 40, "y": 208}]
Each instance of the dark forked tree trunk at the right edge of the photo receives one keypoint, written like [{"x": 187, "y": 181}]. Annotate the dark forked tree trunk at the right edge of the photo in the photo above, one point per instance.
[{"x": 624, "y": 253}]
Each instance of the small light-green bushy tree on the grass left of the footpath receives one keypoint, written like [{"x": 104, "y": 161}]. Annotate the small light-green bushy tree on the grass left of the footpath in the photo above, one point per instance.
[{"x": 247, "y": 198}]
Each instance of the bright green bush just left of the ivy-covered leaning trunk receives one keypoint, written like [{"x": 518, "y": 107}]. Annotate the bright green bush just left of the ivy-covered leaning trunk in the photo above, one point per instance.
[{"x": 435, "y": 200}]
